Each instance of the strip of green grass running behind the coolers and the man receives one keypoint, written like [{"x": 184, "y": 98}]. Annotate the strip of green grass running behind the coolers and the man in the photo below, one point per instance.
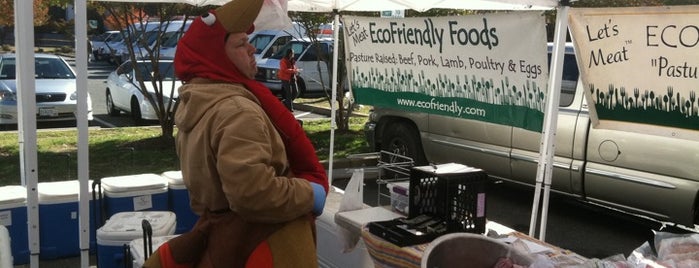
[{"x": 134, "y": 150}]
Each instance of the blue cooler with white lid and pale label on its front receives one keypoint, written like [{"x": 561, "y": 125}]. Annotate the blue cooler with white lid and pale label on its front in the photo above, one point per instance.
[{"x": 134, "y": 193}]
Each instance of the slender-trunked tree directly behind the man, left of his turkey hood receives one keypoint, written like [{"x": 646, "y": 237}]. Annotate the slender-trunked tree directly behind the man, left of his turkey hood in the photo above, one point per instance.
[{"x": 133, "y": 19}]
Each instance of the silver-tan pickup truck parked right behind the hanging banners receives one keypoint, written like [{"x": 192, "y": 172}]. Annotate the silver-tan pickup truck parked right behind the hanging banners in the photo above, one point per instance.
[{"x": 640, "y": 174}]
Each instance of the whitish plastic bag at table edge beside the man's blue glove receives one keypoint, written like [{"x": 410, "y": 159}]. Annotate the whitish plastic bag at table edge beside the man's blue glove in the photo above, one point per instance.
[{"x": 353, "y": 199}]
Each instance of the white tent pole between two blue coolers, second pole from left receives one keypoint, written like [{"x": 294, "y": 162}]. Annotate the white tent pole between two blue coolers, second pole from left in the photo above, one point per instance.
[{"x": 84, "y": 197}]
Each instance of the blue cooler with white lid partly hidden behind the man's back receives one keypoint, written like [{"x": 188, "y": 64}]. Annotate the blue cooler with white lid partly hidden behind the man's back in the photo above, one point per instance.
[{"x": 179, "y": 201}]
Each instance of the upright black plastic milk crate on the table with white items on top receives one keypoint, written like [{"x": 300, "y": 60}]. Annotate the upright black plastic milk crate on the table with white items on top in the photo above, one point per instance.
[{"x": 452, "y": 192}]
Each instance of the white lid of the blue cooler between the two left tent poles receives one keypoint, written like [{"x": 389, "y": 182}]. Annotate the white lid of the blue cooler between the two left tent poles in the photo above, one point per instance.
[{"x": 61, "y": 191}]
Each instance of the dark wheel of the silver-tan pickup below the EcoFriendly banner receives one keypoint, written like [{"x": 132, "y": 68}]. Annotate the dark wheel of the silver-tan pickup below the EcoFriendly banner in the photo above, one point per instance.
[{"x": 402, "y": 139}]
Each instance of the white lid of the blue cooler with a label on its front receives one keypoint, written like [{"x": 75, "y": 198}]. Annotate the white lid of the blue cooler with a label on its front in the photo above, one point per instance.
[{"x": 130, "y": 183}]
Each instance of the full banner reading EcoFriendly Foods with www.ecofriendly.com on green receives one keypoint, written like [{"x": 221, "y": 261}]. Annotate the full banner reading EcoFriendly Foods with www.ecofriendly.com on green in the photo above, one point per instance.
[{"x": 490, "y": 67}]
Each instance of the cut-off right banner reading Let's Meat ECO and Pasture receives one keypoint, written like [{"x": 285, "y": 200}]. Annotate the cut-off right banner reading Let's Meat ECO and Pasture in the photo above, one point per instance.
[{"x": 639, "y": 67}]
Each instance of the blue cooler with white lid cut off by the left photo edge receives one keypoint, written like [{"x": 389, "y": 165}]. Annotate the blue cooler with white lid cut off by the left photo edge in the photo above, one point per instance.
[{"x": 13, "y": 215}]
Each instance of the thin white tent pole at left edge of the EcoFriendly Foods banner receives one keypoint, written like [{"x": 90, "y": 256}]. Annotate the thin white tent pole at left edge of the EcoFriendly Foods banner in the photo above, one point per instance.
[{"x": 333, "y": 101}]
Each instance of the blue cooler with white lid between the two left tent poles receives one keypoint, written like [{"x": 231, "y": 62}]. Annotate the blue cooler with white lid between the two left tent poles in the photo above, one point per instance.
[{"x": 59, "y": 226}]
